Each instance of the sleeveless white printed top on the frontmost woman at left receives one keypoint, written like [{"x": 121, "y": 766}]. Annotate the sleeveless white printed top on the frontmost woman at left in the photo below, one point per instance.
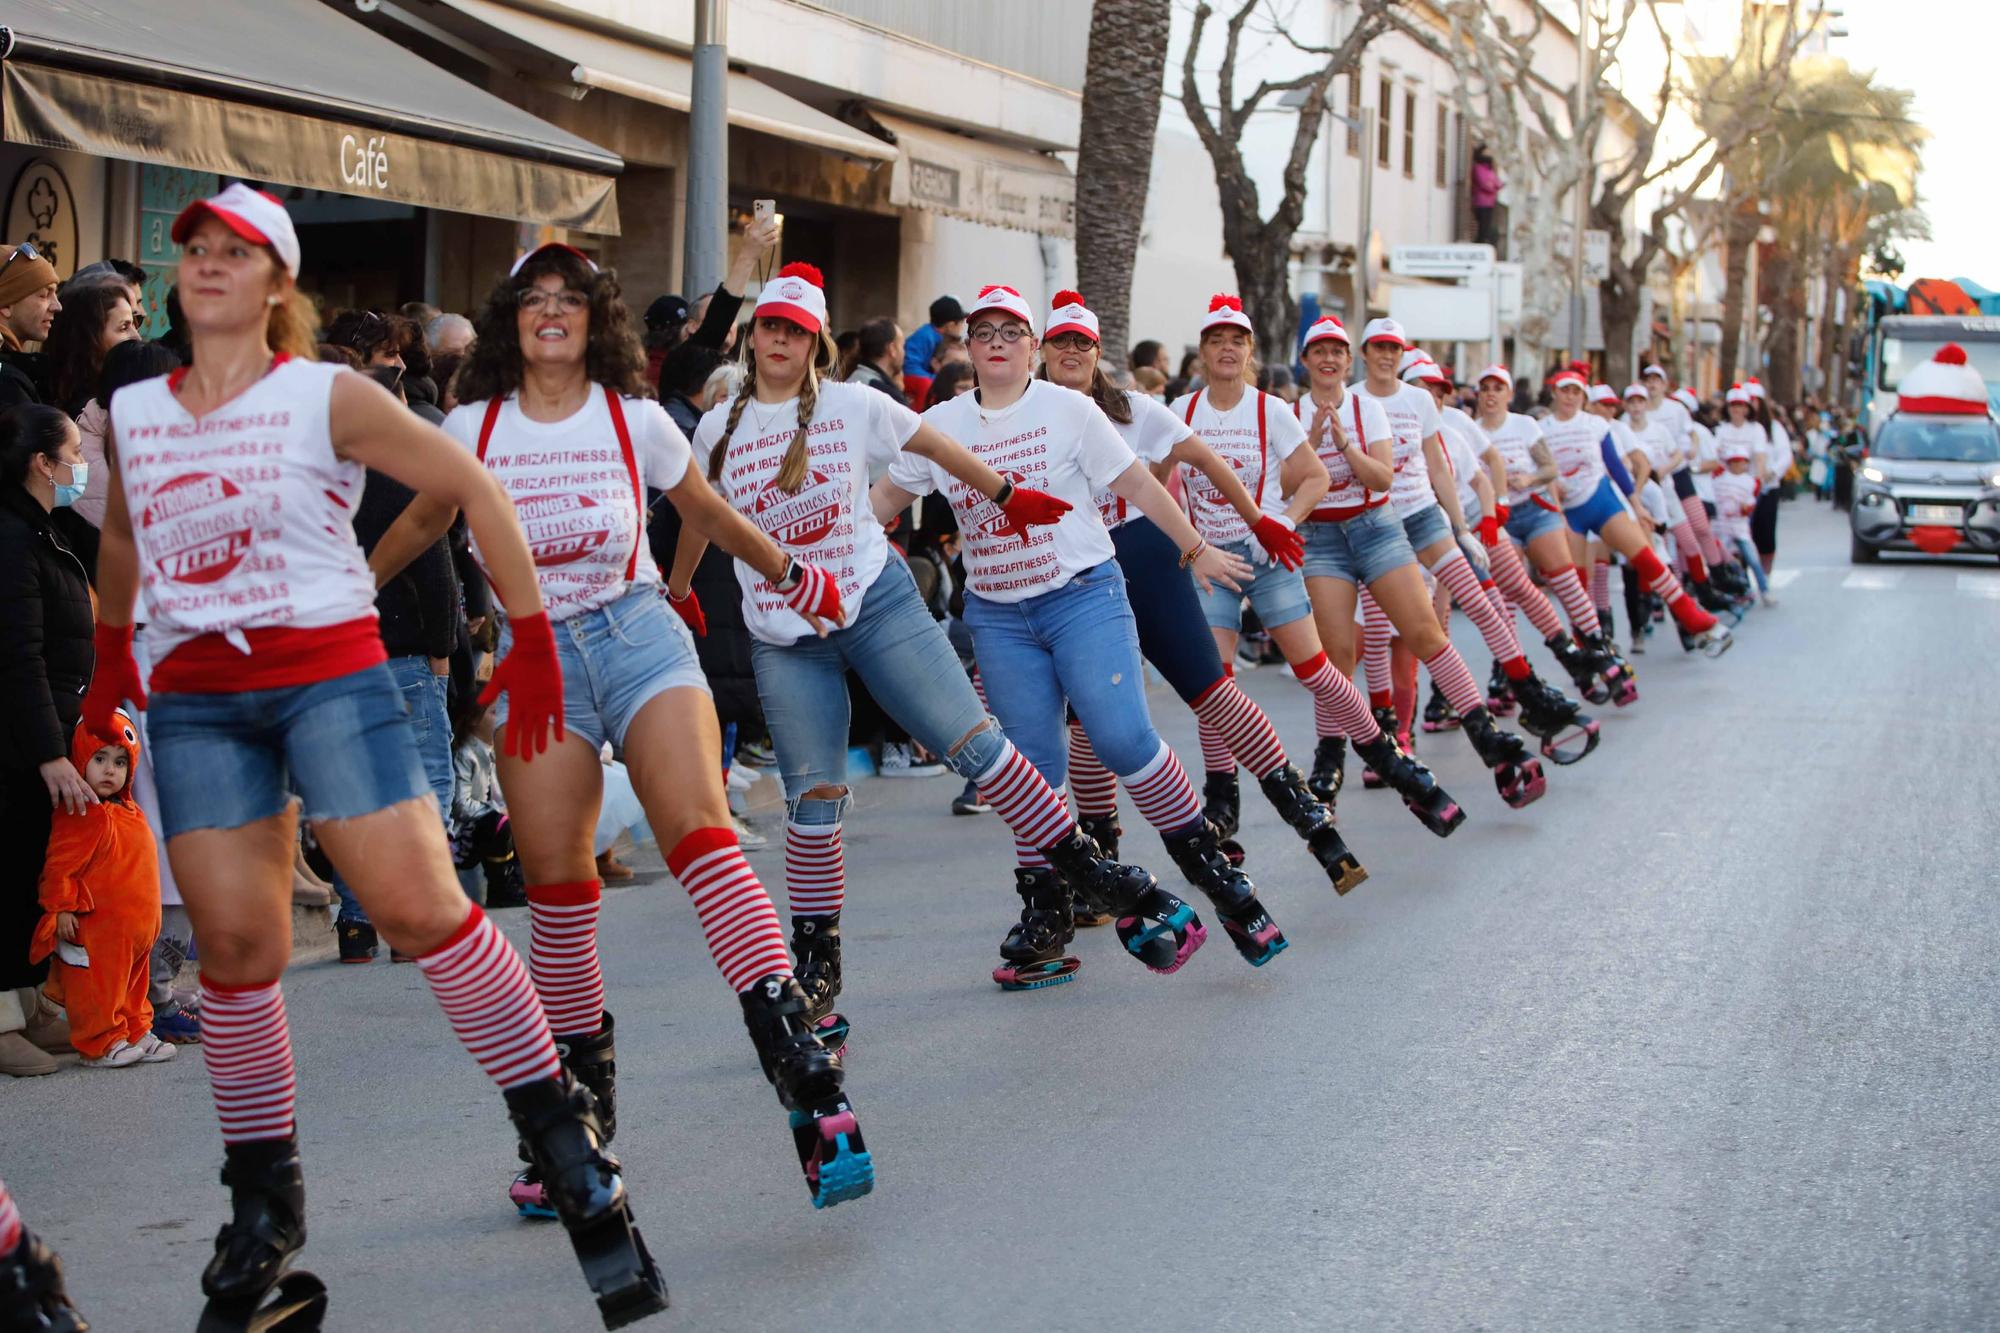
[{"x": 243, "y": 519}]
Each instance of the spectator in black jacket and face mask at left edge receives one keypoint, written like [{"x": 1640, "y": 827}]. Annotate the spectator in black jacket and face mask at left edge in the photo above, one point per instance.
[{"x": 45, "y": 668}]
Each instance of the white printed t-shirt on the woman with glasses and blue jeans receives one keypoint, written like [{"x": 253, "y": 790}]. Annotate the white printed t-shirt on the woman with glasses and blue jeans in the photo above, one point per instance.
[{"x": 1051, "y": 439}]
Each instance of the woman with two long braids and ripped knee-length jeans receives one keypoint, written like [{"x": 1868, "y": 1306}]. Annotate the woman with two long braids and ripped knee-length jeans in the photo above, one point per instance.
[{"x": 793, "y": 453}]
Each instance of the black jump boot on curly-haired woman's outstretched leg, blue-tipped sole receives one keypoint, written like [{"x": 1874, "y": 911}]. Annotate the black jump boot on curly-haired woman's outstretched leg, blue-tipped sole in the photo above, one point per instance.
[{"x": 809, "y": 1078}]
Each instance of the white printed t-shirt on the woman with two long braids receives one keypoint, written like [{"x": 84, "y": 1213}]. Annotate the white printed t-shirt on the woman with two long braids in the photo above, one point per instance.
[{"x": 827, "y": 523}]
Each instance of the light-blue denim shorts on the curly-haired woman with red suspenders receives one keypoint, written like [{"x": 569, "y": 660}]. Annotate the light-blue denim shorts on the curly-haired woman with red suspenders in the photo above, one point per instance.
[{"x": 615, "y": 661}]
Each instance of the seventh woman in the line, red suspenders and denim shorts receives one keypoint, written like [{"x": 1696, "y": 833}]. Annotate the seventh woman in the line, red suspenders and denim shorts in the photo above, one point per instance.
[{"x": 1353, "y": 541}]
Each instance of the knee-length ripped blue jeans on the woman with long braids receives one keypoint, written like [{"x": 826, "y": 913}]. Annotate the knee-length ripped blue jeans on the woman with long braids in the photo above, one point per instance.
[{"x": 911, "y": 670}]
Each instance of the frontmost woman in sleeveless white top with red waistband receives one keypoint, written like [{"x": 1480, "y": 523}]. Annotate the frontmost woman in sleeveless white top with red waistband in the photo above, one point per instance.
[{"x": 231, "y": 497}]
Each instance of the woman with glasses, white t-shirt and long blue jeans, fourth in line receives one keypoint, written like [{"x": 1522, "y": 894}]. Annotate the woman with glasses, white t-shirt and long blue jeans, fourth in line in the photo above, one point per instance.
[{"x": 1051, "y": 623}]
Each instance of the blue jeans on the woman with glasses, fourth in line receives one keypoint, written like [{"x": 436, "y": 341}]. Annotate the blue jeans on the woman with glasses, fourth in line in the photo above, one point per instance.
[{"x": 1075, "y": 643}]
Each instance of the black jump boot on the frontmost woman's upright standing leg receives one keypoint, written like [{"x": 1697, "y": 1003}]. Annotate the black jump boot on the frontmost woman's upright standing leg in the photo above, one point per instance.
[{"x": 251, "y": 1284}]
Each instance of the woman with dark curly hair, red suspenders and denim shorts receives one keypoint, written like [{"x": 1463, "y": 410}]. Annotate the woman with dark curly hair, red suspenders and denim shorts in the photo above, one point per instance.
[{"x": 553, "y": 405}]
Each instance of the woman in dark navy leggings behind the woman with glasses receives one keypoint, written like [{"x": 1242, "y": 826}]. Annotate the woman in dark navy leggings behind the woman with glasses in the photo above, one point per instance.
[{"x": 1169, "y": 613}]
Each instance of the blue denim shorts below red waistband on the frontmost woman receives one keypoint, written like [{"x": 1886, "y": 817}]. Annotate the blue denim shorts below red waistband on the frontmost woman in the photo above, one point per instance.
[{"x": 225, "y": 762}]
